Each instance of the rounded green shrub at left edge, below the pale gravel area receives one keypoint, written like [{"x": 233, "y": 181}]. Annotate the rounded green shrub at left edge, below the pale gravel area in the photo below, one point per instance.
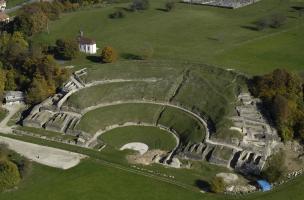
[{"x": 9, "y": 175}]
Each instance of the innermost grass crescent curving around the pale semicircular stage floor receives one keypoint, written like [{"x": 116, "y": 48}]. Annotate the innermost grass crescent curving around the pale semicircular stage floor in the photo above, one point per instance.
[{"x": 154, "y": 137}]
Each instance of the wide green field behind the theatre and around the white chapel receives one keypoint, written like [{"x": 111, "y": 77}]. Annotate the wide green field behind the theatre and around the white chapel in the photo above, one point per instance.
[{"x": 193, "y": 33}]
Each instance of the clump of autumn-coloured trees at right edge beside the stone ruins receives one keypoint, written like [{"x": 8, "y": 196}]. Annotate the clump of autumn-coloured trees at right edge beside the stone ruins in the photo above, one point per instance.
[{"x": 282, "y": 94}]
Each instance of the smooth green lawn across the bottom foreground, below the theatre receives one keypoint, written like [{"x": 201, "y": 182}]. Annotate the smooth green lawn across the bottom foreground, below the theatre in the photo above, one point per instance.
[{"x": 92, "y": 180}]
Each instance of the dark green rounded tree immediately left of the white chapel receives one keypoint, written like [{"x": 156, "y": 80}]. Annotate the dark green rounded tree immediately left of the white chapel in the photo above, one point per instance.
[{"x": 67, "y": 49}]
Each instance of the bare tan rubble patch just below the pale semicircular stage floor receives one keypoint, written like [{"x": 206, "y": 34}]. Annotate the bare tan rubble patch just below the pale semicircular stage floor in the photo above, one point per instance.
[{"x": 146, "y": 159}]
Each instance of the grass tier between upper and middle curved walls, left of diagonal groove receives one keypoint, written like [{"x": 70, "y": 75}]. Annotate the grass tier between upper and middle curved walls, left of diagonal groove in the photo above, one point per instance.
[{"x": 124, "y": 91}]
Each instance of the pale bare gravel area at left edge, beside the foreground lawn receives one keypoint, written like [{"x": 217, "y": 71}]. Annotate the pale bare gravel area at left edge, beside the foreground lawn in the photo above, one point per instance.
[{"x": 44, "y": 155}]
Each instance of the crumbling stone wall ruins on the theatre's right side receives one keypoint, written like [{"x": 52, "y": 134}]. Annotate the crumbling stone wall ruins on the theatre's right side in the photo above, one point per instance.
[{"x": 259, "y": 141}]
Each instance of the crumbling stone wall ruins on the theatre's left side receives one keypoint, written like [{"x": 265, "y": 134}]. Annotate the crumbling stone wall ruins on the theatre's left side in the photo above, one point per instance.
[{"x": 50, "y": 116}]
